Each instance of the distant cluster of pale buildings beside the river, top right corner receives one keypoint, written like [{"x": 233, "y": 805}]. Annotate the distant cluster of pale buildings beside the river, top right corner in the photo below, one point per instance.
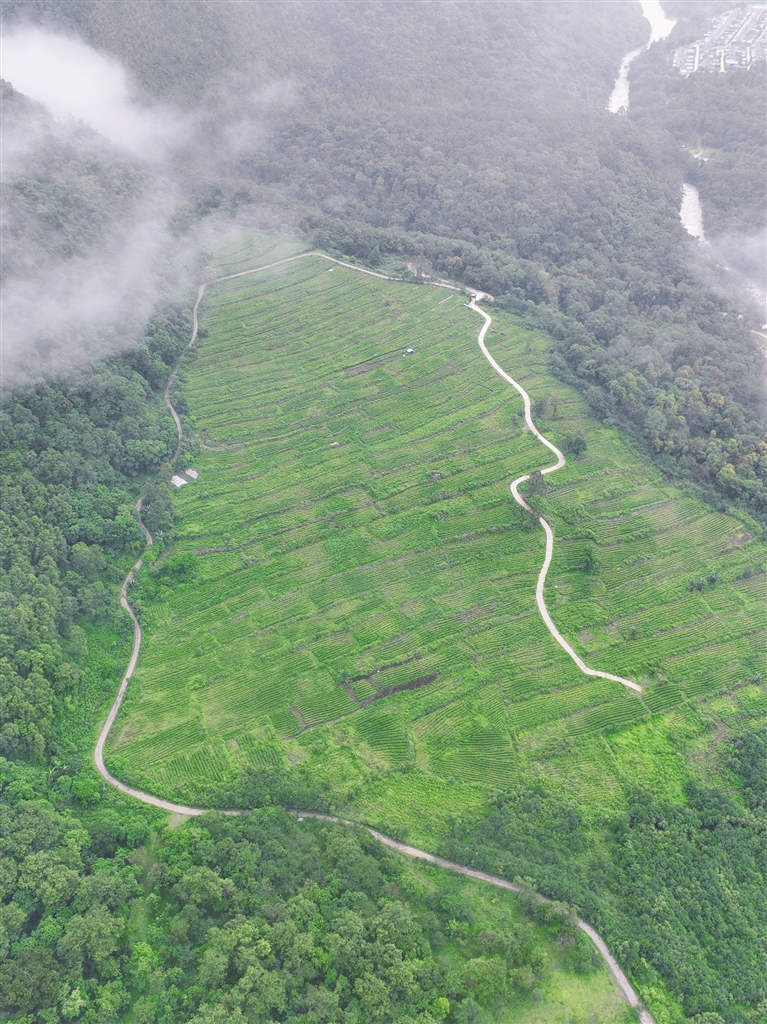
[{"x": 737, "y": 40}]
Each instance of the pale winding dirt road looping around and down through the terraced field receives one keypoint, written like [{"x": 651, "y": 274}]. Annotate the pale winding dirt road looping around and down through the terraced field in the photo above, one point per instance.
[{"x": 624, "y": 986}]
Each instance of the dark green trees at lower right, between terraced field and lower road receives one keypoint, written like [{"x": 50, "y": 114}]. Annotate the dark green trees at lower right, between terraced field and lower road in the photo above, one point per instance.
[{"x": 679, "y": 890}]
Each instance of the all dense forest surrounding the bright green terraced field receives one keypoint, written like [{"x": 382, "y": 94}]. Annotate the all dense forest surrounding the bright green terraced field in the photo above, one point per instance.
[{"x": 464, "y": 143}]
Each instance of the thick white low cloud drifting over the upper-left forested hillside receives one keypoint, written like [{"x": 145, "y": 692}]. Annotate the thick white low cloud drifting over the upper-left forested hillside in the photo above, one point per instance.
[{"x": 96, "y": 183}]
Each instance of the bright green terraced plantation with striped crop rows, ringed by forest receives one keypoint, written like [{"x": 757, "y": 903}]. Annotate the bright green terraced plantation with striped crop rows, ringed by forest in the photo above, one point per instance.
[{"x": 361, "y": 595}]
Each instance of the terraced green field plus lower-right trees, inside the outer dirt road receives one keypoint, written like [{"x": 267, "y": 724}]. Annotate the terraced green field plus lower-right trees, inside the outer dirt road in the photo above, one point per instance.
[{"x": 289, "y": 625}]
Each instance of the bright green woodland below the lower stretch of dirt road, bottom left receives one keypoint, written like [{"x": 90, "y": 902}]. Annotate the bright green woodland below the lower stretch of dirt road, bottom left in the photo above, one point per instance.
[{"x": 260, "y": 919}]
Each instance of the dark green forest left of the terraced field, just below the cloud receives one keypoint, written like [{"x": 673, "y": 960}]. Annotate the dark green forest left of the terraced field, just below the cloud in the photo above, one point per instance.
[{"x": 73, "y": 456}]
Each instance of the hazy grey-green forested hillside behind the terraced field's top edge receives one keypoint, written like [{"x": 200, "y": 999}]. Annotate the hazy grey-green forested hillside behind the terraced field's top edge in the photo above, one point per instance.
[{"x": 505, "y": 174}]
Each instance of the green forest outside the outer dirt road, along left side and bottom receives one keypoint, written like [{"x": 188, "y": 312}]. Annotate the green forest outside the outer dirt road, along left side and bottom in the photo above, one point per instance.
[{"x": 106, "y": 915}]
